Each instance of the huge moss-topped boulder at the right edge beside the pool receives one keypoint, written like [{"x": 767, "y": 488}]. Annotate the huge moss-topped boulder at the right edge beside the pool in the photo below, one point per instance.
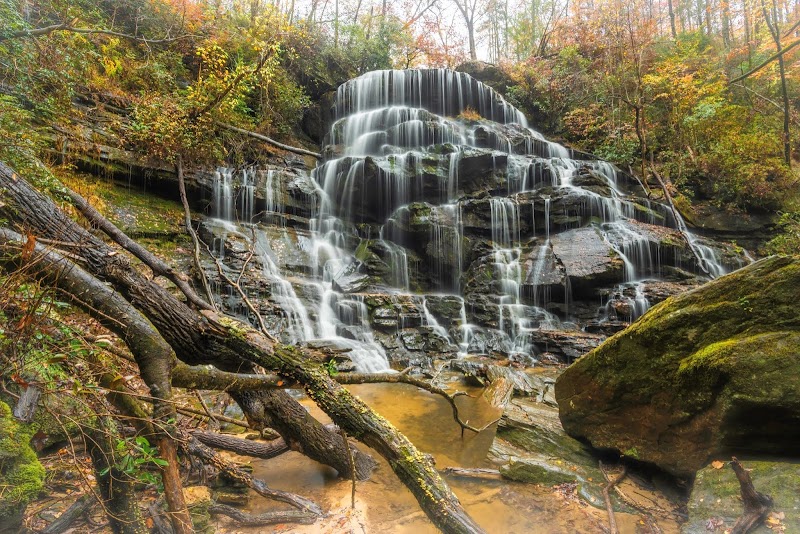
[{"x": 711, "y": 371}]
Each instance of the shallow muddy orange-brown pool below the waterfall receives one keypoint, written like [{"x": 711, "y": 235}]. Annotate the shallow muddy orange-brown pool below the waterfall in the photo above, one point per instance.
[{"x": 384, "y": 505}]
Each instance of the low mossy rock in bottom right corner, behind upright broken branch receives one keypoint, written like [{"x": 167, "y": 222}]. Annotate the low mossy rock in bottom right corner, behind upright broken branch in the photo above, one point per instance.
[{"x": 716, "y": 496}]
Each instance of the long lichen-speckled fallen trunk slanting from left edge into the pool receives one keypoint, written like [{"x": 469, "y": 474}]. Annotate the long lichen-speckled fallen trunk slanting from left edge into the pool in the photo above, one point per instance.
[{"x": 208, "y": 337}]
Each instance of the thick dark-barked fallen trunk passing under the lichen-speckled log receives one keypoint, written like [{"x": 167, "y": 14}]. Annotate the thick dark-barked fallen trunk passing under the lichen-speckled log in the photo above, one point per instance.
[{"x": 186, "y": 330}]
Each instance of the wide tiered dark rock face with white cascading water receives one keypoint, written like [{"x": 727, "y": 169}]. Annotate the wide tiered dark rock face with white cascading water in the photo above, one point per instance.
[{"x": 432, "y": 184}]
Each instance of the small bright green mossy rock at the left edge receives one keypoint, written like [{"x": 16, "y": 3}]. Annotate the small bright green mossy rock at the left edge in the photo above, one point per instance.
[{"x": 21, "y": 474}]
